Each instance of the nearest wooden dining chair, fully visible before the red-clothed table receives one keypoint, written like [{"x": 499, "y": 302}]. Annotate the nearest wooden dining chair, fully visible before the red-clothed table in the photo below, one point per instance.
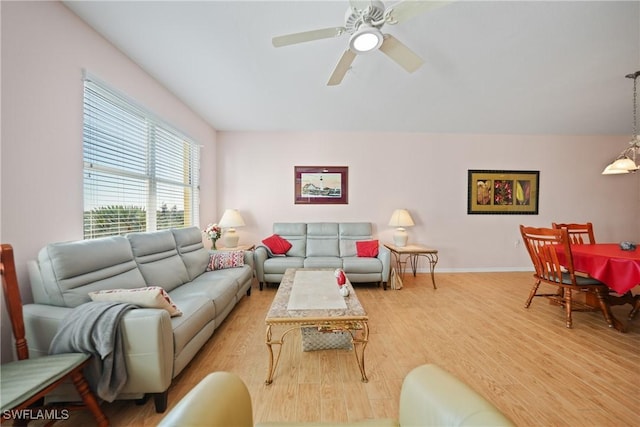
[{"x": 543, "y": 245}]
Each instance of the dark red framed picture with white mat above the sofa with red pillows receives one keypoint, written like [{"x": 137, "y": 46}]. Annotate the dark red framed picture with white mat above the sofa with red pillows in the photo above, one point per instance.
[{"x": 321, "y": 185}]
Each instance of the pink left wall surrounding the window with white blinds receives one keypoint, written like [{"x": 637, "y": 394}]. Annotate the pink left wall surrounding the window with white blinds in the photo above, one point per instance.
[{"x": 45, "y": 47}]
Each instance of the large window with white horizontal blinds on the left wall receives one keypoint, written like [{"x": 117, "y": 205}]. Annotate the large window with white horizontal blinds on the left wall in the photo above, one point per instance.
[{"x": 140, "y": 174}]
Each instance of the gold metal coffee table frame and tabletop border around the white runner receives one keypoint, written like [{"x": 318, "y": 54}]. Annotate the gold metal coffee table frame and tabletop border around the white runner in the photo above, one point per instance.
[{"x": 353, "y": 320}]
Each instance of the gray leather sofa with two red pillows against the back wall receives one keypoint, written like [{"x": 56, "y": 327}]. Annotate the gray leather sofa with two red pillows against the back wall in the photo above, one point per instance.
[{"x": 323, "y": 245}]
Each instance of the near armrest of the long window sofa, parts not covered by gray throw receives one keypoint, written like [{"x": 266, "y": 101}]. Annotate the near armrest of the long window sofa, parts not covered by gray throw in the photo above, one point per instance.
[{"x": 148, "y": 343}]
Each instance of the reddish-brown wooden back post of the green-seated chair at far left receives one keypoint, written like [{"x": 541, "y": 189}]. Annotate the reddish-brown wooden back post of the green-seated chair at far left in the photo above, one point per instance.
[{"x": 12, "y": 298}]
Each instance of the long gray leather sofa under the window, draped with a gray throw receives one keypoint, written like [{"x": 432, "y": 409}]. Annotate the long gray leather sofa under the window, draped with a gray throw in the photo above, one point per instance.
[{"x": 157, "y": 346}]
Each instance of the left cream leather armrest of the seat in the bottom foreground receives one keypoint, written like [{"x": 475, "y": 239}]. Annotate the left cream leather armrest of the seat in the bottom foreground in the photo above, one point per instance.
[{"x": 221, "y": 399}]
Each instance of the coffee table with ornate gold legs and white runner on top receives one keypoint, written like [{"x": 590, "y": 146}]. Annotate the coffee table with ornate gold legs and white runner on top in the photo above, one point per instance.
[{"x": 294, "y": 307}]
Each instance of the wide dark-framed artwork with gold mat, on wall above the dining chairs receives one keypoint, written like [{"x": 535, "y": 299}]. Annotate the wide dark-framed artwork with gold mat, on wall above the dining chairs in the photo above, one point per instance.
[{"x": 503, "y": 192}]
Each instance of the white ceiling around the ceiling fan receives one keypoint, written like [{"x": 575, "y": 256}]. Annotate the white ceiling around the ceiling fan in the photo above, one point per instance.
[{"x": 490, "y": 67}]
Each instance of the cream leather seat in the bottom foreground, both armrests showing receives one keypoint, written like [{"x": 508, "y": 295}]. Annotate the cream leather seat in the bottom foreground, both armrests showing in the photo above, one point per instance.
[{"x": 430, "y": 396}]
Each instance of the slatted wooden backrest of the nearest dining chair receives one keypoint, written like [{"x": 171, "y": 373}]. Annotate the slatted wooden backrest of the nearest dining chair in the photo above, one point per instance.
[{"x": 541, "y": 243}]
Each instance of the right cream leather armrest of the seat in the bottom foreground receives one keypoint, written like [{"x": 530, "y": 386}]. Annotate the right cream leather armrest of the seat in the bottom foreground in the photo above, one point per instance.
[{"x": 431, "y": 396}]
